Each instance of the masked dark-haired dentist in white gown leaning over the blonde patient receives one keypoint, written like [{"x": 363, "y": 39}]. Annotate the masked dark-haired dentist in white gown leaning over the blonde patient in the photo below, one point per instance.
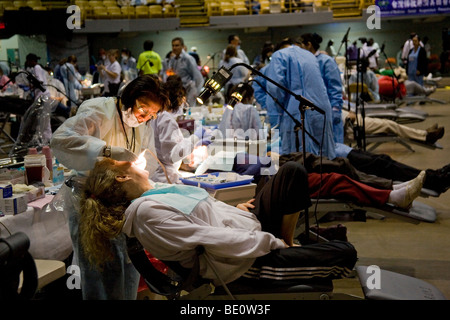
[{"x": 115, "y": 127}]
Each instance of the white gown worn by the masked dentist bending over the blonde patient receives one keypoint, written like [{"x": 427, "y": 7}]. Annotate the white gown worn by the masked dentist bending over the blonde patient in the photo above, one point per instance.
[{"x": 80, "y": 139}]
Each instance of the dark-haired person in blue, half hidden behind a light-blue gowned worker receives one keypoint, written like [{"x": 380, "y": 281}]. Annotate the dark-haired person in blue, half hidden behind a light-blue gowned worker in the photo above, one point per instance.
[{"x": 332, "y": 77}]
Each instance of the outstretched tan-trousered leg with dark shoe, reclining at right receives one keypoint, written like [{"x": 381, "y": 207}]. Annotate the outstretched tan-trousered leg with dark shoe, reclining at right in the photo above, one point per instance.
[{"x": 375, "y": 125}]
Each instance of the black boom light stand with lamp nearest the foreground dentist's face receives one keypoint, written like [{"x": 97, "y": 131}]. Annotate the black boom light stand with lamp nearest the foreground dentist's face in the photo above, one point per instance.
[{"x": 223, "y": 75}]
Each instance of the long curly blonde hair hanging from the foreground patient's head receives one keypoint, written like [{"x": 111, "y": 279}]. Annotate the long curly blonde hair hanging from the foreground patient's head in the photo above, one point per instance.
[{"x": 102, "y": 208}]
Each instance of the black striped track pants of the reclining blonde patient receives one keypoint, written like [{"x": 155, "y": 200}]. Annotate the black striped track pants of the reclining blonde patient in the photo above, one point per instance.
[{"x": 285, "y": 193}]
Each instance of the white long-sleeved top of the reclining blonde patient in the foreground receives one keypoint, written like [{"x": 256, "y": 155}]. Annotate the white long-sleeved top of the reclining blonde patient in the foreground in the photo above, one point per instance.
[{"x": 232, "y": 238}]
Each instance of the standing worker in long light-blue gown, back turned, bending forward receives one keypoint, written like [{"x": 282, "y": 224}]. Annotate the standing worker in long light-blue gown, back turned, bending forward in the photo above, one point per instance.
[{"x": 298, "y": 70}]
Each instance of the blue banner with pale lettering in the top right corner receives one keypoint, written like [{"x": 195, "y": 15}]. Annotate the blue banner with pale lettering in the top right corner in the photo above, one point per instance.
[{"x": 389, "y": 8}]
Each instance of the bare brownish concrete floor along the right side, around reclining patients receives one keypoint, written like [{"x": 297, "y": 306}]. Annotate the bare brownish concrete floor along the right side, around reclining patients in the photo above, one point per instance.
[{"x": 418, "y": 250}]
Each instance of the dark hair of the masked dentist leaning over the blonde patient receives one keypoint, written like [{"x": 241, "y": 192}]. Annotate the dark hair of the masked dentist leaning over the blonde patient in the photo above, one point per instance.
[{"x": 145, "y": 86}]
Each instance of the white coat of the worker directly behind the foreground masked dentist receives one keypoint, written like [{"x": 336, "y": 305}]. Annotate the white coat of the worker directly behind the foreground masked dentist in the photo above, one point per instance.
[{"x": 171, "y": 146}]
